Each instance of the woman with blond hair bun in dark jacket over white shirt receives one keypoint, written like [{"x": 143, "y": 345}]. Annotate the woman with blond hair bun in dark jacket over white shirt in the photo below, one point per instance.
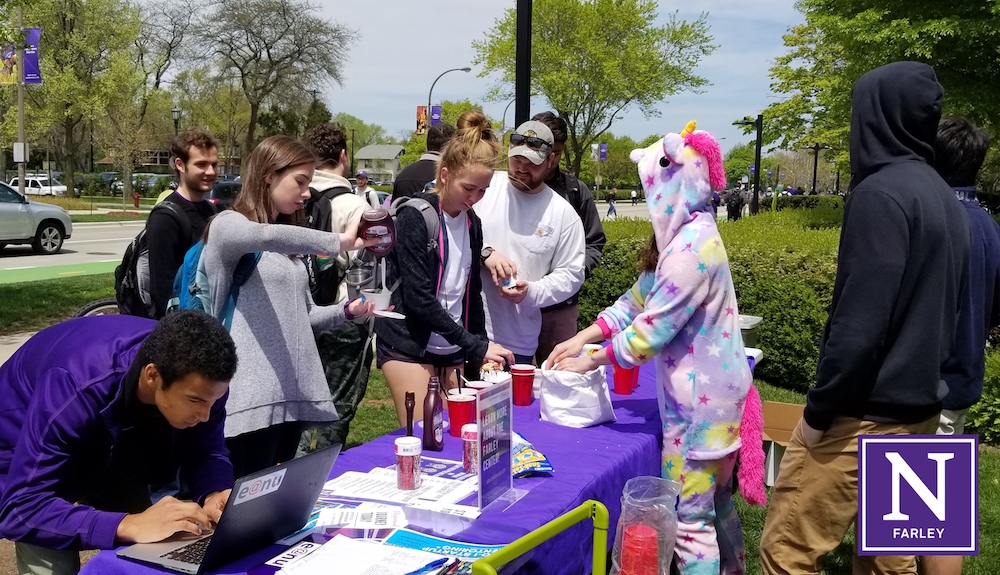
[{"x": 440, "y": 290}]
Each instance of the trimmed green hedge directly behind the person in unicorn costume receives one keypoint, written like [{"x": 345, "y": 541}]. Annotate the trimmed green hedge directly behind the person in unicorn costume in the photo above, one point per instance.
[{"x": 783, "y": 265}]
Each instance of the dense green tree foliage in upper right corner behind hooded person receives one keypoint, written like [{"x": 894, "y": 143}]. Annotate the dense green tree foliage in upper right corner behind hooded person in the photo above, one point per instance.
[{"x": 843, "y": 39}]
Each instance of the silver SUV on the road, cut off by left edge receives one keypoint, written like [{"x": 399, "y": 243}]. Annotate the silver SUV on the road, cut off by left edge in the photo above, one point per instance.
[{"x": 23, "y": 221}]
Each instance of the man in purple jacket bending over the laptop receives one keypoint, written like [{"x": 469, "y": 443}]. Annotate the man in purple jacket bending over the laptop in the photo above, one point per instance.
[{"x": 96, "y": 409}]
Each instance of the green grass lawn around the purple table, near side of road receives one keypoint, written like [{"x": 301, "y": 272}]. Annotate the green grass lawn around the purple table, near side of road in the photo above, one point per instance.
[{"x": 31, "y": 306}]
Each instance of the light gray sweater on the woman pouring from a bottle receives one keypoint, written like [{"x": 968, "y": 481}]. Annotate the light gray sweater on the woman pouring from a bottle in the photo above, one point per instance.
[{"x": 279, "y": 377}]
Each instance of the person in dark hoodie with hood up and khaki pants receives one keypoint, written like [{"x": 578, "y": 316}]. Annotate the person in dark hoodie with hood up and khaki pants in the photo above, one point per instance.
[{"x": 904, "y": 246}]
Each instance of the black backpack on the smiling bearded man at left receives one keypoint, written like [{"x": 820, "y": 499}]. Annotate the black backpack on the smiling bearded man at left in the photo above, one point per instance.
[{"x": 132, "y": 281}]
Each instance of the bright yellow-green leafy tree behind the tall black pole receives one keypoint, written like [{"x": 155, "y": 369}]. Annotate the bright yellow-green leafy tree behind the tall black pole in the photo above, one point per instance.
[{"x": 594, "y": 59}]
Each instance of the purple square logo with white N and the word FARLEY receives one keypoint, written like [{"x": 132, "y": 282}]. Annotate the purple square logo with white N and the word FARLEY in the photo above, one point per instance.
[{"x": 918, "y": 495}]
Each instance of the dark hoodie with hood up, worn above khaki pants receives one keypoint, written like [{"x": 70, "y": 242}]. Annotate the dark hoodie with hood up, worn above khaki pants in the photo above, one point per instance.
[{"x": 903, "y": 250}]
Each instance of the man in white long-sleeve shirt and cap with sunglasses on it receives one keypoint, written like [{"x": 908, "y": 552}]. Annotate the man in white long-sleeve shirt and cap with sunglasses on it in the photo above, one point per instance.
[{"x": 534, "y": 243}]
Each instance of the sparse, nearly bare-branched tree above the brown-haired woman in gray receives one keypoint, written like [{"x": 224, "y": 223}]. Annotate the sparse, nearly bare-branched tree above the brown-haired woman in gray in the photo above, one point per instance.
[{"x": 275, "y": 48}]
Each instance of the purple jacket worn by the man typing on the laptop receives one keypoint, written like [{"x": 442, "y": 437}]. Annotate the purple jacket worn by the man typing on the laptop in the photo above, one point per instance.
[{"x": 68, "y": 394}]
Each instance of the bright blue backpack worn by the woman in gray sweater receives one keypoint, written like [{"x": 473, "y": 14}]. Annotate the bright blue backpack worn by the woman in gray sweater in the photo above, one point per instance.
[{"x": 191, "y": 284}]
